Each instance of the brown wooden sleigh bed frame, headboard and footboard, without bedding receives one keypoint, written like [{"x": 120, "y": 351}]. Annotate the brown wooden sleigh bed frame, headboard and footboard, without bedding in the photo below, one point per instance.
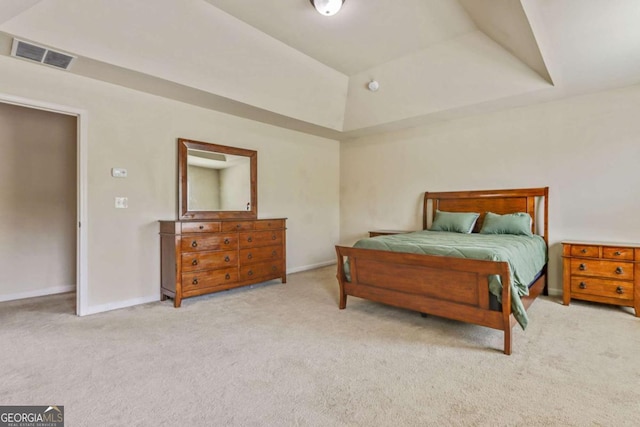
[{"x": 455, "y": 288}]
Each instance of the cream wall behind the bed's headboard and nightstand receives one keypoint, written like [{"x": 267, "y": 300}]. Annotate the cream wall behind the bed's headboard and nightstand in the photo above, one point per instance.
[{"x": 586, "y": 149}]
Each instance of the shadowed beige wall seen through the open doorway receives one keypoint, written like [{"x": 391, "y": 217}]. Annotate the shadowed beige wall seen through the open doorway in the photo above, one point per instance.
[{"x": 37, "y": 202}]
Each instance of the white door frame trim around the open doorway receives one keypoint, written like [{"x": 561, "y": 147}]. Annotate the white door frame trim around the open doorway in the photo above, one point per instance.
[{"x": 82, "y": 267}]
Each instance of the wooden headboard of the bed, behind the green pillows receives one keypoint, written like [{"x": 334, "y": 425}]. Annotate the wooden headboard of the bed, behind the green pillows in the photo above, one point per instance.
[{"x": 497, "y": 201}]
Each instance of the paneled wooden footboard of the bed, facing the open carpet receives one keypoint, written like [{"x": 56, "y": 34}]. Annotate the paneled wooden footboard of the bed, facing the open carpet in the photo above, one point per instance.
[{"x": 455, "y": 288}]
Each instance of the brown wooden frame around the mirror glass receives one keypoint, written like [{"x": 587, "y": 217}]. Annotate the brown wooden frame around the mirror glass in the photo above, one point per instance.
[{"x": 183, "y": 207}]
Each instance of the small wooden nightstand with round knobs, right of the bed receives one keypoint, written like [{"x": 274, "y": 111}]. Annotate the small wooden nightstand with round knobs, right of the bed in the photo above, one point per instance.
[{"x": 602, "y": 272}]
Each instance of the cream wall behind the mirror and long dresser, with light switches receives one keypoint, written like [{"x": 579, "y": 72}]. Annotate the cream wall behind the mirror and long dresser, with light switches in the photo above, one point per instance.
[{"x": 297, "y": 176}]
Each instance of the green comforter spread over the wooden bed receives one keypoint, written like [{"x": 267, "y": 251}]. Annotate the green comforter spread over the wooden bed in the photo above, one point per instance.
[{"x": 526, "y": 256}]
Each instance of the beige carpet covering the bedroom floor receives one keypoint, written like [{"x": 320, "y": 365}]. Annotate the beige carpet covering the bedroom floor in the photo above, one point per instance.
[{"x": 281, "y": 355}]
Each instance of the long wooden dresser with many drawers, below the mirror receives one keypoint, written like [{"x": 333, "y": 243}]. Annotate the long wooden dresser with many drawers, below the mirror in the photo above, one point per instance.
[{"x": 200, "y": 257}]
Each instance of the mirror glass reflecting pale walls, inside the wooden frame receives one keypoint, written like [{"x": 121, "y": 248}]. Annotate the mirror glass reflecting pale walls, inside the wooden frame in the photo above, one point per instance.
[{"x": 217, "y": 181}]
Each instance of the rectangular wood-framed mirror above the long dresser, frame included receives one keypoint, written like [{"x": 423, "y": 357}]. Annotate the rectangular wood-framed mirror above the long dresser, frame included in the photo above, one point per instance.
[{"x": 216, "y": 181}]
